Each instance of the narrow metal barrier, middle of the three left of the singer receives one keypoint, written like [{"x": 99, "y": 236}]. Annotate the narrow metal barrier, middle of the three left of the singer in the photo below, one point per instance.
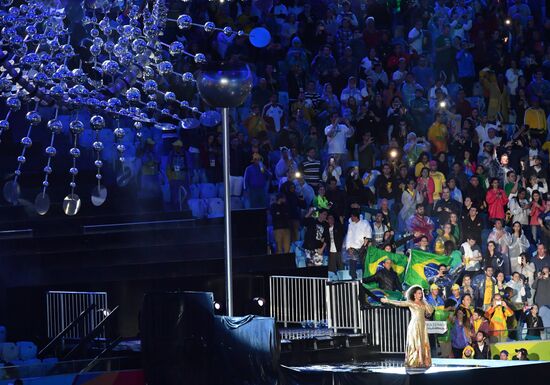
[{"x": 343, "y": 308}]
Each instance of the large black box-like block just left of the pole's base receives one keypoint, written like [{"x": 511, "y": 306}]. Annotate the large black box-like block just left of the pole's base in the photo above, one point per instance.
[{"x": 176, "y": 329}]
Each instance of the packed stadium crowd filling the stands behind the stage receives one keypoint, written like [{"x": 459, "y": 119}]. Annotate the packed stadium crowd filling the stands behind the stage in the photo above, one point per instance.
[{"x": 399, "y": 125}]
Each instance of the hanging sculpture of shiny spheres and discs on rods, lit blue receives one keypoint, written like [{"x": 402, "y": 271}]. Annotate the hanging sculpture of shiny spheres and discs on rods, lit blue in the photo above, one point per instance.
[{"x": 105, "y": 57}]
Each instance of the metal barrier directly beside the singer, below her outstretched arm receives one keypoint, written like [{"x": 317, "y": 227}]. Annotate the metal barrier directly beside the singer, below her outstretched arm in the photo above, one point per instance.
[{"x": 387, "y": 328}]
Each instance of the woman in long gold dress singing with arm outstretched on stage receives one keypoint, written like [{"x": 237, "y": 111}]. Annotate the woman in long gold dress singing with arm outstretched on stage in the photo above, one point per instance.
[{"x": 417, "y": 351}]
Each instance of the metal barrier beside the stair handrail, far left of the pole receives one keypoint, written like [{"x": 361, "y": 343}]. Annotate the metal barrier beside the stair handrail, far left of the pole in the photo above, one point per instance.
[{"x": 62, "y": 307}]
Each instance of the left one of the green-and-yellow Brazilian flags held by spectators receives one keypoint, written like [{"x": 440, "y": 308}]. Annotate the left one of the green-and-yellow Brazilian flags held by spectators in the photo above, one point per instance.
[{"x": 374, "y": 261}]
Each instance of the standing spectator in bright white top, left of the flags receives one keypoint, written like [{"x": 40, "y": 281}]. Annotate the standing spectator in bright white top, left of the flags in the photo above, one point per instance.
[{"x": 357, "y": 239}]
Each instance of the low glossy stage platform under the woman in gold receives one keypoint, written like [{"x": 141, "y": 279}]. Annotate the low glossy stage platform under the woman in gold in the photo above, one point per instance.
[{"x": 443, "y": 371}]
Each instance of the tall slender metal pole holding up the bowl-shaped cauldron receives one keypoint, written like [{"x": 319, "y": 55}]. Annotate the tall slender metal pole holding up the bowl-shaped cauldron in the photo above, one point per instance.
[{"x": 227, "y": 217}]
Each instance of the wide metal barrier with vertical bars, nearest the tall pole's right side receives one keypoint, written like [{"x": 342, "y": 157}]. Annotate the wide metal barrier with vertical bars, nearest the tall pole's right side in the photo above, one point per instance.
[{"x": 297, "y": 299}]
